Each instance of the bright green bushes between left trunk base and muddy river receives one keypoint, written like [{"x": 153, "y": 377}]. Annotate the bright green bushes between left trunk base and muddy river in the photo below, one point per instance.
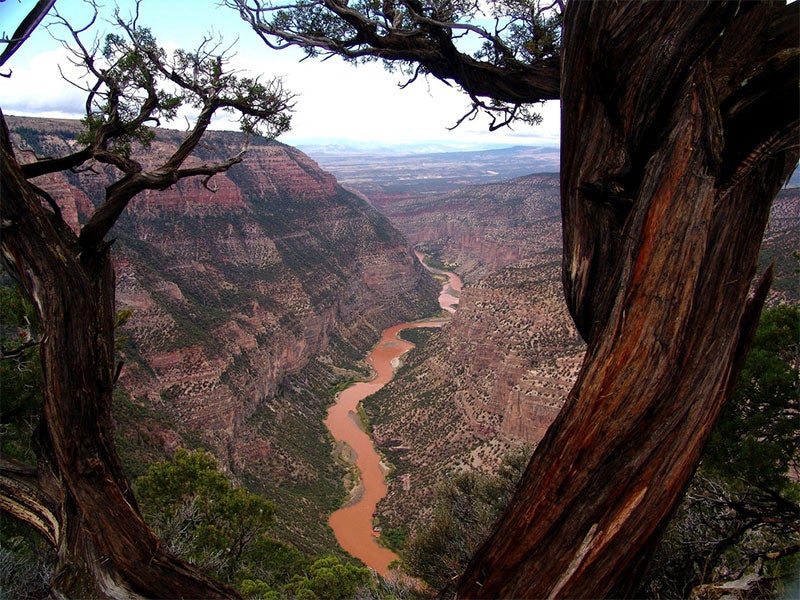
[{"x": 200, "y": 516}]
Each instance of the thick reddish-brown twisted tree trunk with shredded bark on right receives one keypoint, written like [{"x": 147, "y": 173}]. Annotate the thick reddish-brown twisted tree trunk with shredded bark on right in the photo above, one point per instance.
[{"x": 680, "y": 124}]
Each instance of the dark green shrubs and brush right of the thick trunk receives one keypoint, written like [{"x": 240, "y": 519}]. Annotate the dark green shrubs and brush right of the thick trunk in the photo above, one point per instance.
[{"x": 740, "y": 518}]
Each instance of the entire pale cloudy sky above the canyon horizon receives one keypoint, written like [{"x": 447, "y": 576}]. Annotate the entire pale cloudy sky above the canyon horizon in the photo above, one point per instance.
[{"x": 334, "y": 100}]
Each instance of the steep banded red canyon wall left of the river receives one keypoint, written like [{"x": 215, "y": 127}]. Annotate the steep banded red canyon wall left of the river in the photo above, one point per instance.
[{"x": 243, "y": 300}]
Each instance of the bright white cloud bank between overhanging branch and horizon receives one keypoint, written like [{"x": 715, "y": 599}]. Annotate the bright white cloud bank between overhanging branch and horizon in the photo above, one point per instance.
[{"x": 364, "y": 103}]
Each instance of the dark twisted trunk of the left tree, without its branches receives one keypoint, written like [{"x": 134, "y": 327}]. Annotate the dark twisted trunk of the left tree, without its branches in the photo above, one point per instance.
[{"x": 79, "y": 497}]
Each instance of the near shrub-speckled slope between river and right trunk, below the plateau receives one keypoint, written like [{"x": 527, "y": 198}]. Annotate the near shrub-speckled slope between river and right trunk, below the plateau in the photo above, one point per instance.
[{"x": 491, "y": 380}]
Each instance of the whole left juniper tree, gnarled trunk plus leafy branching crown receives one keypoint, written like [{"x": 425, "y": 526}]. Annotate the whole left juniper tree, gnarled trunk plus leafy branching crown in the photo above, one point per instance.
[{"x": 77, "y": 495}]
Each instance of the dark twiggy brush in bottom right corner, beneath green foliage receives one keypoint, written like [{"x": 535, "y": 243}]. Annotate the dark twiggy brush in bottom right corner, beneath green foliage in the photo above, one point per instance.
[{"x": 724, "y": 531}]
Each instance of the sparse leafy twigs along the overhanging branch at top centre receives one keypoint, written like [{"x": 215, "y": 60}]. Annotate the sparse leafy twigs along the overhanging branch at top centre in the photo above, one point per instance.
[{"x": 411, "y": 34}]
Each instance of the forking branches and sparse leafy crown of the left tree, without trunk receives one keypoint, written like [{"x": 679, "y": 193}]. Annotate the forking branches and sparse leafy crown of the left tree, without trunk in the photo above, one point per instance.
[{"x": 127, "y": 94}]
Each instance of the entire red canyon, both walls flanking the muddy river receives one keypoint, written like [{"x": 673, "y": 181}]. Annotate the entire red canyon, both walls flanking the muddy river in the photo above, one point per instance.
[{"x": 252, "y": 306}]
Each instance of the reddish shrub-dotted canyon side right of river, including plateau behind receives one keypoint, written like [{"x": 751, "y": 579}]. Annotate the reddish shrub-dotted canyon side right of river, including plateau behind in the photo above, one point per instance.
[{"x": 497, "y": 375}]
